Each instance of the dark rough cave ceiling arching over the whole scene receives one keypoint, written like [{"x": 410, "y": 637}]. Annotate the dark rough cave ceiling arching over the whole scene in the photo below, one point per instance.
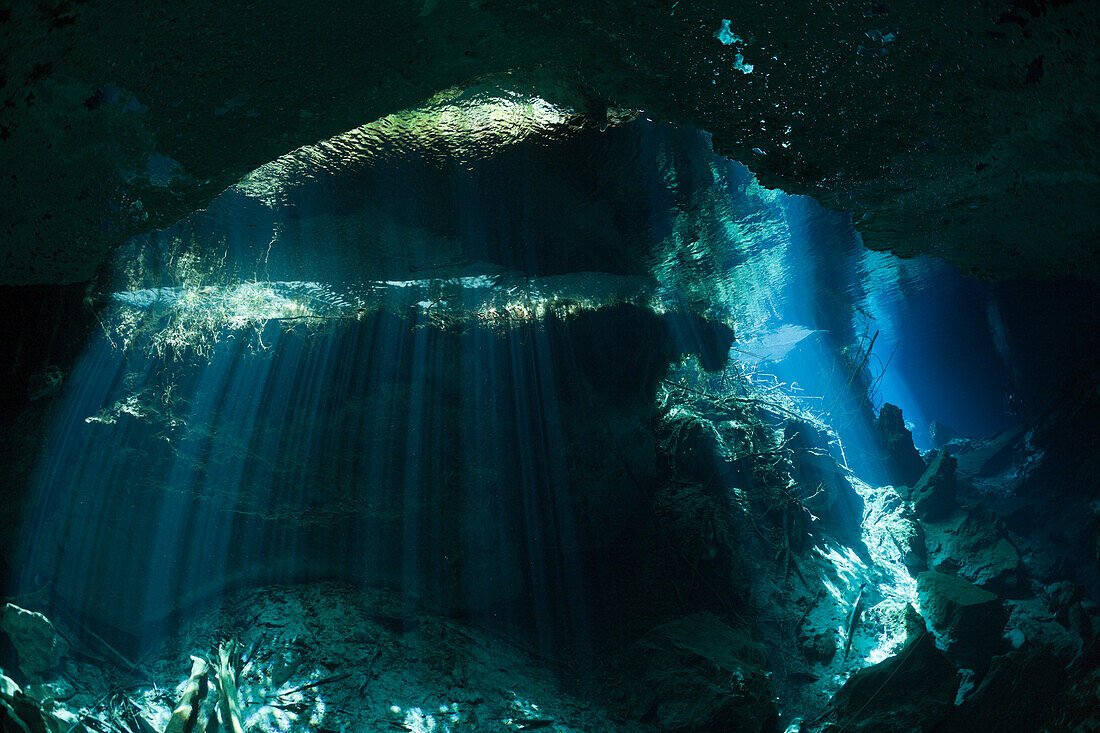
[{"x": 967, "y": 132}]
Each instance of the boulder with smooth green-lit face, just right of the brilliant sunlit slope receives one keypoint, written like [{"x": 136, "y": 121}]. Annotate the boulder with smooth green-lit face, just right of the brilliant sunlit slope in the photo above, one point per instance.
[{"x": 967, "y": 619}]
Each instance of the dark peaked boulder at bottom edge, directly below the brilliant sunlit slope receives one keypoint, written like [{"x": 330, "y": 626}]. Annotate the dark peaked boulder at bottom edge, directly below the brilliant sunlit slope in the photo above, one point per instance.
[{"x": 911, "y": 692}]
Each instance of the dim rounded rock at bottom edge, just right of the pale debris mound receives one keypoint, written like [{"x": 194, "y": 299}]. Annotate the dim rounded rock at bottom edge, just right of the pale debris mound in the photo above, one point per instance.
[{"x": 699, "y": 674}]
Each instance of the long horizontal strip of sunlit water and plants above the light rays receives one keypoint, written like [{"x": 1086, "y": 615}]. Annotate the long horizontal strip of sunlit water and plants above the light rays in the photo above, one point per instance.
[{"x": 167, "y": 321}]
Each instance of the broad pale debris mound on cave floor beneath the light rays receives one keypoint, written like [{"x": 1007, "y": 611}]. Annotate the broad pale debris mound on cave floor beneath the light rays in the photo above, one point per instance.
[{"x": 334, "y": 658}]
